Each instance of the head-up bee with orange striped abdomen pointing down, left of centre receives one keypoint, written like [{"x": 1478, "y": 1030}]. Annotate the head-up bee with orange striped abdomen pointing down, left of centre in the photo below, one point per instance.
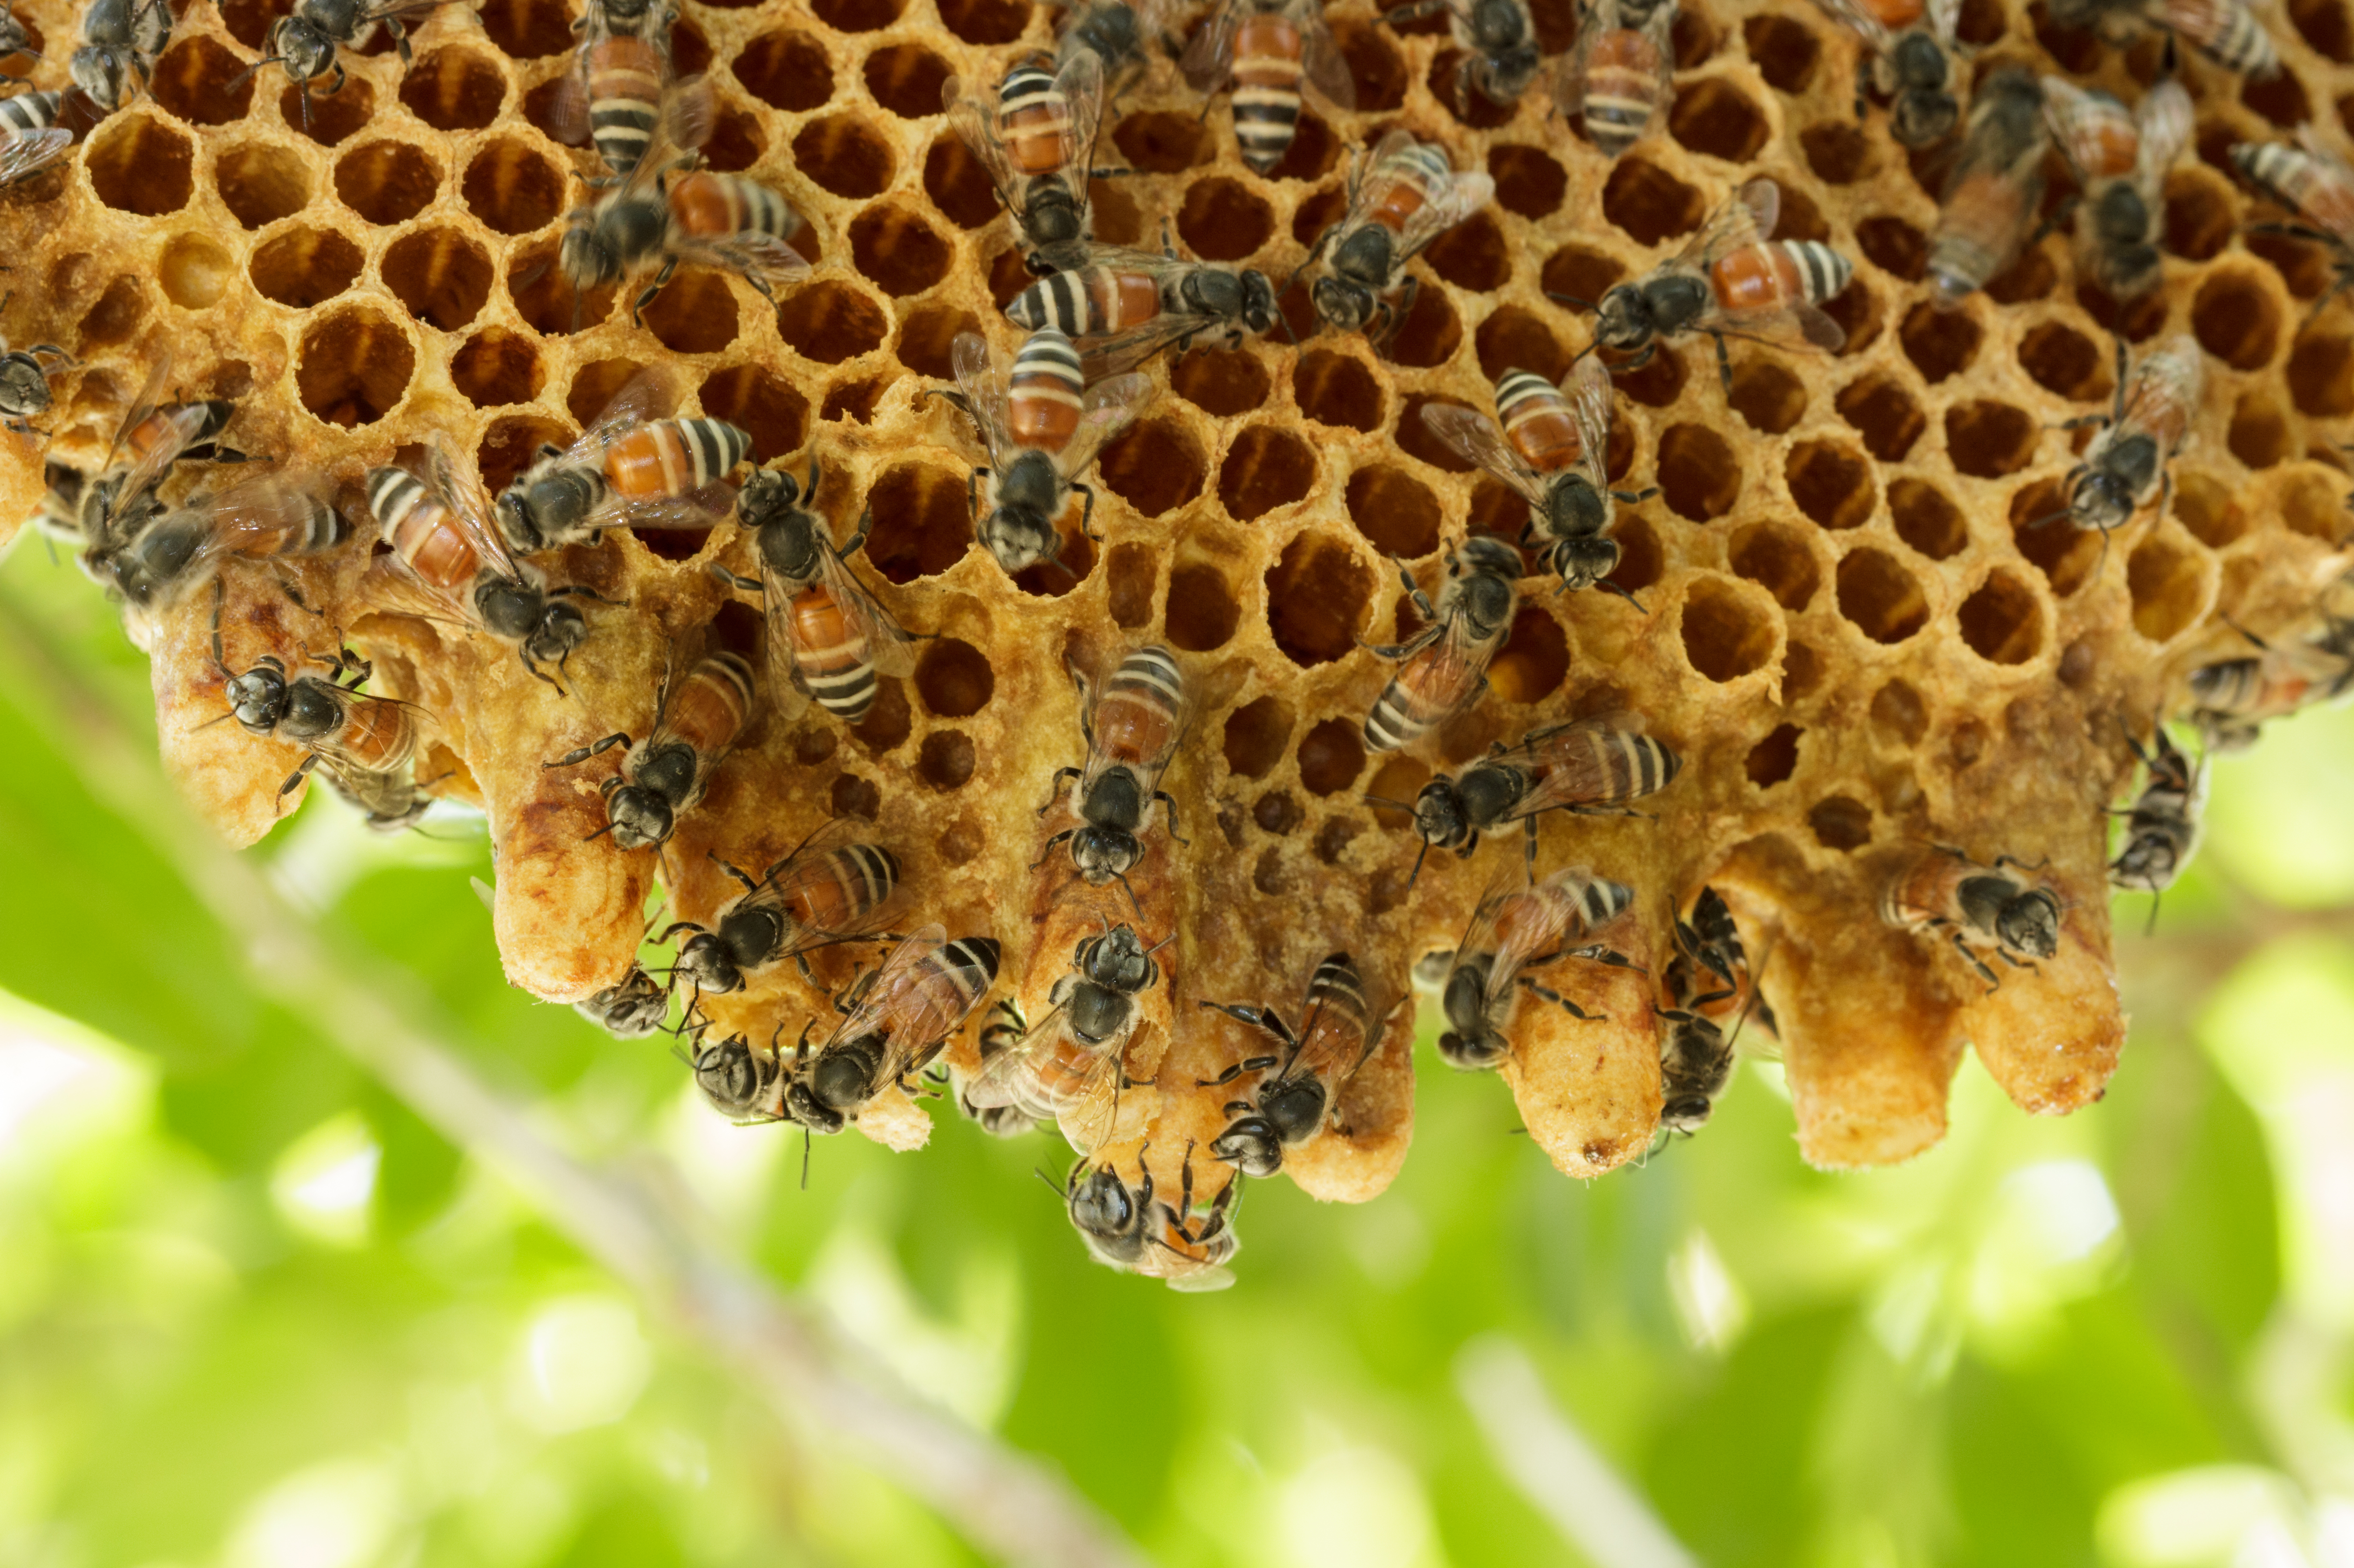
[{"x": 827, "y": 637}]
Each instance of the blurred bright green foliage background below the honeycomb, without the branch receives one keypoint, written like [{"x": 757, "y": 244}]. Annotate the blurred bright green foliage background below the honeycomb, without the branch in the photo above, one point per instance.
[{"x": 255, "y": 1315}]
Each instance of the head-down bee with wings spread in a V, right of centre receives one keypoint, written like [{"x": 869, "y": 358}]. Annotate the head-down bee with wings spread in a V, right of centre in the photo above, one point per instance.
[{"x": 1552, "y": 453}]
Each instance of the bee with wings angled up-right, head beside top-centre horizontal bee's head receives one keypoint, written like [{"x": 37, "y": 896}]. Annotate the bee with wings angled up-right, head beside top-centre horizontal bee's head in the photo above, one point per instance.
[{"x": 1399, "y": 201}]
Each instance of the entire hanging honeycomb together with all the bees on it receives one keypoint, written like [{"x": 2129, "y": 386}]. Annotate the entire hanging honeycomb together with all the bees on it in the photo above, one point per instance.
[{"x": 931, "y": 500}]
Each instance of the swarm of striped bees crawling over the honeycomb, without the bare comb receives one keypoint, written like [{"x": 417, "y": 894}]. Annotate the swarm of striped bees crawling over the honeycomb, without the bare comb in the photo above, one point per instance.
[{"x": 1060, "y": 1011}]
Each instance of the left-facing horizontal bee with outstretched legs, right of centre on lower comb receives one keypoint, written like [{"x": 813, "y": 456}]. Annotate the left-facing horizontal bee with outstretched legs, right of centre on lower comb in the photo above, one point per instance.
[{"x": 1588, "y": 769}]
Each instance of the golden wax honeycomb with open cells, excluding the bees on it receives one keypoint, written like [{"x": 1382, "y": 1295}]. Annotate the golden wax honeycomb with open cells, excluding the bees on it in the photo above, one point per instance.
[{"x": 1851, "y": 634}]
